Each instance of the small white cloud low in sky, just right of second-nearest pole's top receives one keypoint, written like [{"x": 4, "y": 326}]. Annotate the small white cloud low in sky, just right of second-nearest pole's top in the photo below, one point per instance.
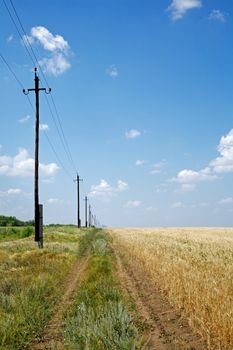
[{"x": 105, "y": 191}]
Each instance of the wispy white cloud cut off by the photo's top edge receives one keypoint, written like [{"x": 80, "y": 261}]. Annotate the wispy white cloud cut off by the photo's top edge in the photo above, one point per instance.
[{"x": 178, "y": 8}]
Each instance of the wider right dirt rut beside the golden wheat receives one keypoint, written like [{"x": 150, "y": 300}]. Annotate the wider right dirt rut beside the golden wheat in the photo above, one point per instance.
[{"x": 164, "y": 328}]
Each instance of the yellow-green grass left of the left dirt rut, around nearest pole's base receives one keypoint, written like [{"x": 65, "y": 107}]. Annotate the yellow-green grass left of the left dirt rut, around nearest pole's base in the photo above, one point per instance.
[{"x": 31, "y": 283}]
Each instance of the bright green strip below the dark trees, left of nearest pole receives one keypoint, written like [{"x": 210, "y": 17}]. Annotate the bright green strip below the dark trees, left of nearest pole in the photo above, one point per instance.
[{"x": 13, "y": 233}]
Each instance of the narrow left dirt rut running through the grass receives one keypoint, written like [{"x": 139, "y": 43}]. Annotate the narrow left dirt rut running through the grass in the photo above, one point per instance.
[{"x": 51, "y": 338}]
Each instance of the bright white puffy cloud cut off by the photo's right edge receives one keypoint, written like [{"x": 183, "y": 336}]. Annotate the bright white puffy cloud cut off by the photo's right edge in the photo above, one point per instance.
[{"x": 224, "y": 163}]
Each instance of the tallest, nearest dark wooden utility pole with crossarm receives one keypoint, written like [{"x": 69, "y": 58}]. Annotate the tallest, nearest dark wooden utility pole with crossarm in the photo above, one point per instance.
[{"x": 38, "y": 230}]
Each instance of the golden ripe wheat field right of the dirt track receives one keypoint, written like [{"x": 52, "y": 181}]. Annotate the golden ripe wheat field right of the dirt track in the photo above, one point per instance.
[{"x": 194, "y": 266}]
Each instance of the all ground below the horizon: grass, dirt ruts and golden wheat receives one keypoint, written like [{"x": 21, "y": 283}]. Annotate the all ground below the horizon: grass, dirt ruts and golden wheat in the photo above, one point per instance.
[{"x": 116, "y": 289}]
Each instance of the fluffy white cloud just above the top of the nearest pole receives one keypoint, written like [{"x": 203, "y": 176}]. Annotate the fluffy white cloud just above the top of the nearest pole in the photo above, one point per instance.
[{"x": 57, "y": 47}]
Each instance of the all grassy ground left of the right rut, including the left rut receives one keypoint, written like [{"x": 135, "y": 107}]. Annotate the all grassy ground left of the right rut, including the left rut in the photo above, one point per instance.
[{"x": 65, "y": 296}]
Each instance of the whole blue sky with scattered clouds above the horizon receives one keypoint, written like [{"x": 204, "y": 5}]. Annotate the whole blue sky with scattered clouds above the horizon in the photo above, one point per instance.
[{"x": 144, "y": 93}]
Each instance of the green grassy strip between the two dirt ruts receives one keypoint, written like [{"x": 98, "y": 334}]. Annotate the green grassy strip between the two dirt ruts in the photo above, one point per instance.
[{"x": 99, "y": 318}]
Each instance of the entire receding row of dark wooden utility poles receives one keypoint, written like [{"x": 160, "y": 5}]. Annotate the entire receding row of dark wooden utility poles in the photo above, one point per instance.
[{"x": 90, "y": 219}]
